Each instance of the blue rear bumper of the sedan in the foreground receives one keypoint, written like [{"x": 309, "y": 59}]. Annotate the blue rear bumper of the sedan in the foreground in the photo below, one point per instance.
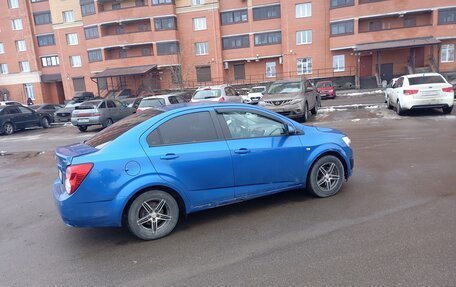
[{"x": 85, "y": 214}]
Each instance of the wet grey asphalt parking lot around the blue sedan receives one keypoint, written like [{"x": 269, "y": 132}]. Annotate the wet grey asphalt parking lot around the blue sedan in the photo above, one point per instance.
[{"x": 393, "y": 223}]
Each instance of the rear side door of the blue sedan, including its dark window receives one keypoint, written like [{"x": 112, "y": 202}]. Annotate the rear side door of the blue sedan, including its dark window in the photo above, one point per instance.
[{"x": 189, "y": 151}]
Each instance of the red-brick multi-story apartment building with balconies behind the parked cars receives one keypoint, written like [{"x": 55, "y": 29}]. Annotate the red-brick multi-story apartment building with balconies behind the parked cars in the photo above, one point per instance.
[{"x": 51, "y": 48}]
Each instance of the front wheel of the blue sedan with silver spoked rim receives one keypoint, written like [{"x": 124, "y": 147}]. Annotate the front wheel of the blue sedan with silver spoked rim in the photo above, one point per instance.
[{"x": 326, "y": 177}]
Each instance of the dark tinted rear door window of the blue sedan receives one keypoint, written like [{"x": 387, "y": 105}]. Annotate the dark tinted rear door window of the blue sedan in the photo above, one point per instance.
[{"x": 189, "y": 128}]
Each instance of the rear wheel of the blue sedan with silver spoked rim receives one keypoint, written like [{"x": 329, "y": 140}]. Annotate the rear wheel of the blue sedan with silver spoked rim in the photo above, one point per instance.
[{"x": 147, "y": 220}]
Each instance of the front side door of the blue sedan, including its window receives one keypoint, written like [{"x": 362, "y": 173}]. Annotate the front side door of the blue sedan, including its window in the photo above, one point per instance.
[{"x": 265, "y": 158}]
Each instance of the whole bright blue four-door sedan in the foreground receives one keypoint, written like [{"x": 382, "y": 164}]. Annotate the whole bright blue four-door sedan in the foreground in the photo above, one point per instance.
[{"x": 150, "y": 169}]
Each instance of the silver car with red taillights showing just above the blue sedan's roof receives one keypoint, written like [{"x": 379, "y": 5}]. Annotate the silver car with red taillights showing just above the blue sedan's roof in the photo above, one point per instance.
[{"x": 222, "y": 93}]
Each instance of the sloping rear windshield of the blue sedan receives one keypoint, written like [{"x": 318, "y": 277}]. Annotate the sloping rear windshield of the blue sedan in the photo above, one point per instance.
[{"x": 114, "y": 131}]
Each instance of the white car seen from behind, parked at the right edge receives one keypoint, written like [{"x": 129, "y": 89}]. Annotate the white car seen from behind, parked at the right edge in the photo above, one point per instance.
[{"x": 420, "y": 91}]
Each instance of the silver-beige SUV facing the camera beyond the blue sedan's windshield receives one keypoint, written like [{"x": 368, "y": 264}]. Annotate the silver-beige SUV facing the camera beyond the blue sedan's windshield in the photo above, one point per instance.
[{"x": 292, "y": 98}]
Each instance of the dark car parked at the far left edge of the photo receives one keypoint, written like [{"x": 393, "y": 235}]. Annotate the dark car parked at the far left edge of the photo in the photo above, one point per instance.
[{"x": 18, "y": 117}]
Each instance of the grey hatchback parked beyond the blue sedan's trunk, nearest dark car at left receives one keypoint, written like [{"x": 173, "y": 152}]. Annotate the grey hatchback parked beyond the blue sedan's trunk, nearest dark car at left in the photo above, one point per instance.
[{"x": 99, "y": 112}]
